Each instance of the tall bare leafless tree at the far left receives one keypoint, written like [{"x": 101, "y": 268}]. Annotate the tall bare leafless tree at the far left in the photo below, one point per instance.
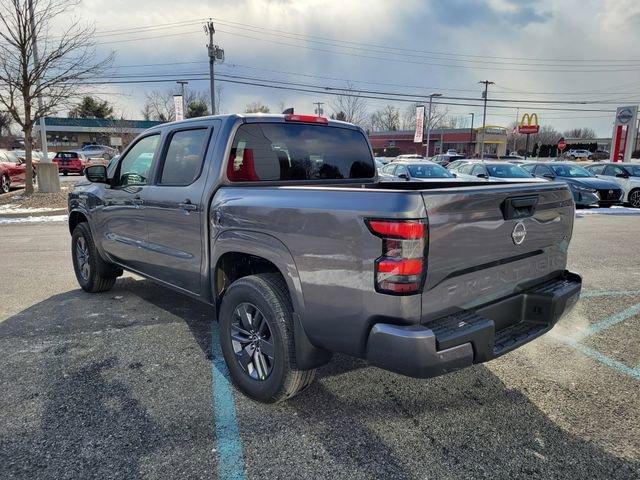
[{"x": 65, "y": 61}]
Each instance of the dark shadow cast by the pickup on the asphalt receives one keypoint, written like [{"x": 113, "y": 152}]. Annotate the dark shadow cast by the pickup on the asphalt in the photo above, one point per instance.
[{"x": 76, "y": 420}]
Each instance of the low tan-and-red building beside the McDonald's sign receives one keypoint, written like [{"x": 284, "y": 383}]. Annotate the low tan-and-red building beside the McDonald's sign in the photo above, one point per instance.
[{"x": 465, "y": 140}]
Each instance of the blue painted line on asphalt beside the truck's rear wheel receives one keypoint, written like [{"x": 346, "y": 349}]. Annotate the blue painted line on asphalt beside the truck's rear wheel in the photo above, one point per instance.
[{"x": 230, "y": 457}]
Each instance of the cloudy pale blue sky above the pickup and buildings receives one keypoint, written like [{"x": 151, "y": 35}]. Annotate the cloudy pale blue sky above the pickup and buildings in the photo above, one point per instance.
[{"x": 534, "y": 50}]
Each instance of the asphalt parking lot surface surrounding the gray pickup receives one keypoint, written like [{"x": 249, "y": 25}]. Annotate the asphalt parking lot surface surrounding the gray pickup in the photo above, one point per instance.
[{"x": 128, "y": 384}]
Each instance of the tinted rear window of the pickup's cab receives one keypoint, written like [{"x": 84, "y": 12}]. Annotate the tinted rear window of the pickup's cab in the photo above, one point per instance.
[{"x": 298, "y": 152}]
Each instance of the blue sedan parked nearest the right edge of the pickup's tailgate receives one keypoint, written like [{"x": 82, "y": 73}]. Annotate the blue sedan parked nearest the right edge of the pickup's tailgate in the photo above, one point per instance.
[{"x": 586, "y": 187}]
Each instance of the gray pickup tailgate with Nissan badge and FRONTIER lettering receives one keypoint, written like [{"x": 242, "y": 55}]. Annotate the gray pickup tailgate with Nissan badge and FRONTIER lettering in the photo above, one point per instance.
[{"x": 485, "y": 243}]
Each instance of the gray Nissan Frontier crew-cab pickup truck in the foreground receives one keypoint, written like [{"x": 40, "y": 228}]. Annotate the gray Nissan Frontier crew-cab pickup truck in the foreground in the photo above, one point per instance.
[{"x": 279, "y": 223}]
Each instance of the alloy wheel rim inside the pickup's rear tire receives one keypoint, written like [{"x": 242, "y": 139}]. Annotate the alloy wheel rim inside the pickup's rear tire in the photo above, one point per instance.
[{"x": 252, "y": 341}]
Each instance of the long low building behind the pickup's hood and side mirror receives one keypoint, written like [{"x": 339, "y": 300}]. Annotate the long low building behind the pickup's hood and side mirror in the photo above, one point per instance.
[{"x": 74, "y": 133}]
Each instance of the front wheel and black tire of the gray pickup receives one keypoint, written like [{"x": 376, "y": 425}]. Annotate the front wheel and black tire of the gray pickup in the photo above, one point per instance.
[{"x": 92, "y": 272}]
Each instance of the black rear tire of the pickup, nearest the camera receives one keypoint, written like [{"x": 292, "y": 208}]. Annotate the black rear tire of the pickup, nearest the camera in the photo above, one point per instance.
[{"x": 268, "y": 294}]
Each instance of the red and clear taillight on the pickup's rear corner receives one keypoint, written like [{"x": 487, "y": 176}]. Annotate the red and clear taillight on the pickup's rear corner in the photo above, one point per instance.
[{"x": 402, "y": 267}]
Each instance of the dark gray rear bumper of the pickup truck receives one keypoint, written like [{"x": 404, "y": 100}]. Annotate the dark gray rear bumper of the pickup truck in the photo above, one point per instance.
[{"x": 473, "y": 336}]
